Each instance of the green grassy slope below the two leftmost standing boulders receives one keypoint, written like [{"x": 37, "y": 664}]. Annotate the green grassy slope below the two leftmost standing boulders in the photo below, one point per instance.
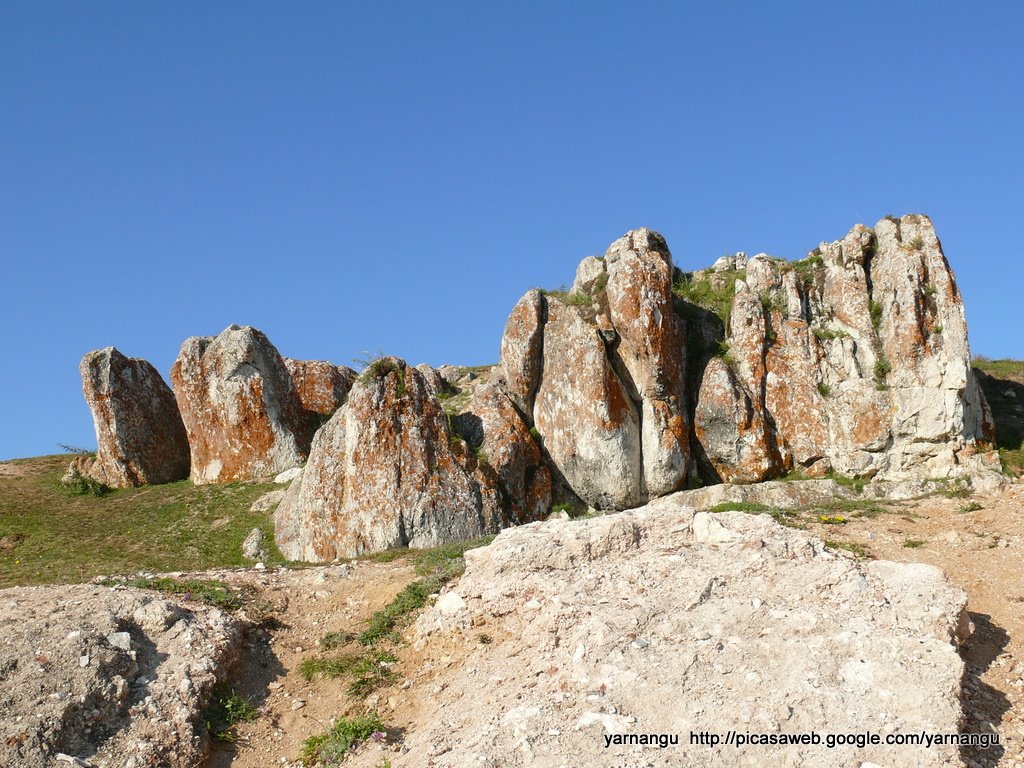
[{"x": 50, "y": 536}]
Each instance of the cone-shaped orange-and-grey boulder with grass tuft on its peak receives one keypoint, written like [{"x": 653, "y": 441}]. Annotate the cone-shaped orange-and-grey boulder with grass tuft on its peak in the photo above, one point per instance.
[{"x": 386, "y": 473}]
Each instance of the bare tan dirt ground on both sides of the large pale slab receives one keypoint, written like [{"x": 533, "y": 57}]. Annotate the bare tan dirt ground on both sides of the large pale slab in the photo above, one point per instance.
[{"x": 982, "y": 550}]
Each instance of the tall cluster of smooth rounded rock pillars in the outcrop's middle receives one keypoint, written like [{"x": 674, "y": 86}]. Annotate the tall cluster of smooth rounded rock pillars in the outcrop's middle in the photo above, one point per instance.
[{"x": 600, "y": 371}]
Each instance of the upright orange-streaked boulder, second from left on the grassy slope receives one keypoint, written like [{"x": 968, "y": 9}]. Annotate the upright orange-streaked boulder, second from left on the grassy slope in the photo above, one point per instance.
[{"x": 242, "y": 412}]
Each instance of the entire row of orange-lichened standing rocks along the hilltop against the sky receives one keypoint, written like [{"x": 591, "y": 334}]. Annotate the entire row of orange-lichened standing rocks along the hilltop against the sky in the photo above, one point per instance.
[{"x": 641, "y": 381}]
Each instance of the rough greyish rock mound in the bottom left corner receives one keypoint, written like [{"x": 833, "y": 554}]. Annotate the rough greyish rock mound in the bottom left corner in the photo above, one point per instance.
[{"x": 112, "y": 677}]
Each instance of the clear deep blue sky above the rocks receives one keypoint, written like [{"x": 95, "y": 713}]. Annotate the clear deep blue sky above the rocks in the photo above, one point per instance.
[{"x": 393, "y": 177}]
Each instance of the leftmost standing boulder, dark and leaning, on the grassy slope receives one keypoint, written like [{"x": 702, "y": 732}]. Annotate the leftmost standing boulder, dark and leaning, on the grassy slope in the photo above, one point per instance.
[{"x": 140, "y": 435}]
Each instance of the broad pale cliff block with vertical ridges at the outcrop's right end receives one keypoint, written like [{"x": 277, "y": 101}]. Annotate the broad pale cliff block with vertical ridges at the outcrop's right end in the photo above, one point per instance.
[{"x": 858, "y": 356}]
